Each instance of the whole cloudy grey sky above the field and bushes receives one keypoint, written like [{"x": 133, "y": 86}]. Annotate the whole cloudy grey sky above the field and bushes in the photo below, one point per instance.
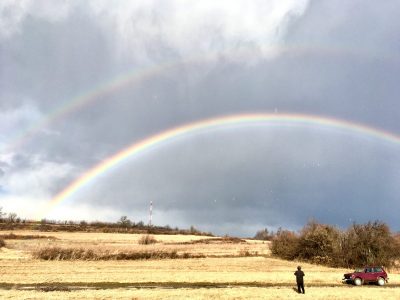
[{"x": 81, "y": 81}]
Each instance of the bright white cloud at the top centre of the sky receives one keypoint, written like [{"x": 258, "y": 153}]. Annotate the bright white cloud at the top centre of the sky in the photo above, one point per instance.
[{"x": 193, "y": 28}]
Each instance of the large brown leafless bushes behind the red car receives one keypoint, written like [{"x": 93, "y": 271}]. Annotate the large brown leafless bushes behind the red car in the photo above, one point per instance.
[{"x": 372, "y": 243}]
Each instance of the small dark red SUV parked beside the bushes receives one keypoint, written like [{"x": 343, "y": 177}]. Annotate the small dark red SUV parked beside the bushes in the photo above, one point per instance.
[{"x": 367, "y": 275}]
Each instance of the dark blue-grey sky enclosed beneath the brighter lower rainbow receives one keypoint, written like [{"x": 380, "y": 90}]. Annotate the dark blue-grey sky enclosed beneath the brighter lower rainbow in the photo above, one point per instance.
[{"x": 250, "y": 177}]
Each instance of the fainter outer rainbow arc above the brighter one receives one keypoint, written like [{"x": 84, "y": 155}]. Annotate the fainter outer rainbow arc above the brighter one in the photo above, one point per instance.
[{"x": 121, "y": 81}]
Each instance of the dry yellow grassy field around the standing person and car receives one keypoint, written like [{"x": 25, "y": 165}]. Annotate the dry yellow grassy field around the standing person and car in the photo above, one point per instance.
[{"x": 231, "y": 269}]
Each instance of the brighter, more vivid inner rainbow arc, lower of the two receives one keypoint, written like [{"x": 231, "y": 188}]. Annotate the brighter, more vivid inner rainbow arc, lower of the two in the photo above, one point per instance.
[{"x": 259, "y": 119}]
